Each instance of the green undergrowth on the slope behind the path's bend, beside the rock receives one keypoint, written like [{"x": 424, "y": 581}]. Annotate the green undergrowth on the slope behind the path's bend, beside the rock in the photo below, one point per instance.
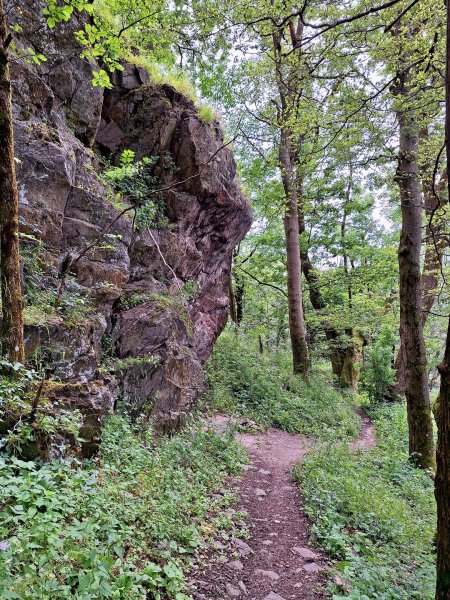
[{"x": 263, "y": 388}]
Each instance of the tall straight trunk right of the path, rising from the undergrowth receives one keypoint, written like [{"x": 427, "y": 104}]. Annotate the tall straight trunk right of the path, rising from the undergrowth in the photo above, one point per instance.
[{"x": 421, "y": 445}]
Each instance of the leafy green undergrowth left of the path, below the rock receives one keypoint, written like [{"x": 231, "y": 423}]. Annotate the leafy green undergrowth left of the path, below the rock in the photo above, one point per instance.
[{"x": 123, "y": 526}]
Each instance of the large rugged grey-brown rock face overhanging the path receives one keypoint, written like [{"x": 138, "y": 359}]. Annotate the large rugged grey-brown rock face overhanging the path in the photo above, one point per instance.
[{"x": 142, "y": 307}]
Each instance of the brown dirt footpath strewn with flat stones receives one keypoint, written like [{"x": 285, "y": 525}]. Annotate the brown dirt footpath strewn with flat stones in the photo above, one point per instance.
[{"x": 276, "y": 563}]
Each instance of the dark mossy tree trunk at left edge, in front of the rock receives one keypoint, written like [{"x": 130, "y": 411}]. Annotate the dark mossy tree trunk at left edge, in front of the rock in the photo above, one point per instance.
[{"x": 12, "y": 303}]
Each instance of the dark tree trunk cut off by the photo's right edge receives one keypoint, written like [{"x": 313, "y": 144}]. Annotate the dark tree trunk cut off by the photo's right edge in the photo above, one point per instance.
[{"x": 442, "y": 480}]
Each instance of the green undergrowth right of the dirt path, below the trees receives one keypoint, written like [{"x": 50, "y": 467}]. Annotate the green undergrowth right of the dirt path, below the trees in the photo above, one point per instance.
[{"x": 374, "y": 513}]
